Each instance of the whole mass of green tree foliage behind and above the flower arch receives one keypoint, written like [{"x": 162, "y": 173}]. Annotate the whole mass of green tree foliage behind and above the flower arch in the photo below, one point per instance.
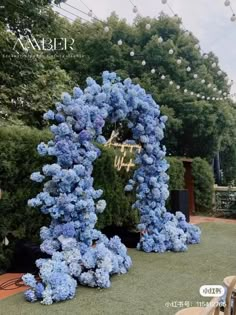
[{"x": 30, "y": 85}]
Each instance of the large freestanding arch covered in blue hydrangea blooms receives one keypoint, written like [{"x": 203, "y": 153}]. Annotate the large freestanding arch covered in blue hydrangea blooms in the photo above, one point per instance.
[{"x": 80, "y": 253}]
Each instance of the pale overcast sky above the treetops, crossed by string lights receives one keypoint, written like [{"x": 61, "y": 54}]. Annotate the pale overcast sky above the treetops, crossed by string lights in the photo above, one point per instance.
[{"x": 208, "y": 20}]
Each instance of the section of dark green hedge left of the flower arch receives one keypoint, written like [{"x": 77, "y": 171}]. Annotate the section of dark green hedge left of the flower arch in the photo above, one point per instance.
[{"x": 18, "y": 158}]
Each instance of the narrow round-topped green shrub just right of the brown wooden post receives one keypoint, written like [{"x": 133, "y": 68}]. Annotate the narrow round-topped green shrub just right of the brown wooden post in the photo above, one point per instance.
[{"x": 203, "y": 184}]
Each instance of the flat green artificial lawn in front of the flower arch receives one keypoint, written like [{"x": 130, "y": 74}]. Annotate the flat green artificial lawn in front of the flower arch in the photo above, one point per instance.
[{"x": 153, "y": 281}]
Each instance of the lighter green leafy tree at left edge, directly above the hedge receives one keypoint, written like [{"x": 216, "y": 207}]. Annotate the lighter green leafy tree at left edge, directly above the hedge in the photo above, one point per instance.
[{"x": 30, "y": 82}]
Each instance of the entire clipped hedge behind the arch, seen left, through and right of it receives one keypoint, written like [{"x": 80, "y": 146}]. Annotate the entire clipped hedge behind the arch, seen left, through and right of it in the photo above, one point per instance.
[{"x": 19, "y": 158}]
